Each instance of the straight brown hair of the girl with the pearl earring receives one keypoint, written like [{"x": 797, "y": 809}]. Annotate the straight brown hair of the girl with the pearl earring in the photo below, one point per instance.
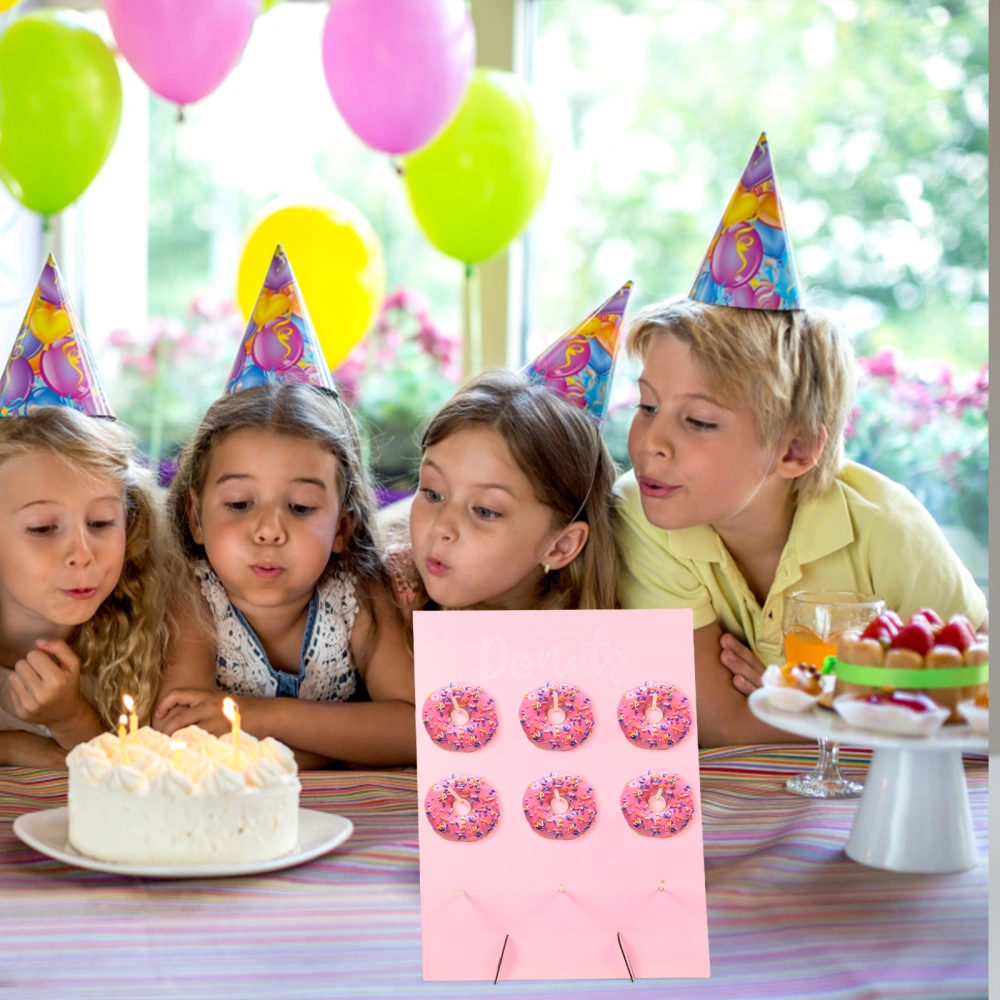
[{"x": 561, "y": 451}]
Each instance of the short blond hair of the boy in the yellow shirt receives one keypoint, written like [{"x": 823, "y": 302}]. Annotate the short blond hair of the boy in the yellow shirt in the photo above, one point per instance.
[{"x": 792, "y": 368}]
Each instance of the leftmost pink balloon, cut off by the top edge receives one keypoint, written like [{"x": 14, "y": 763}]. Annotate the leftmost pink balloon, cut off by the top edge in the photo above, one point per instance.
[{"x": 182, "y": 49}]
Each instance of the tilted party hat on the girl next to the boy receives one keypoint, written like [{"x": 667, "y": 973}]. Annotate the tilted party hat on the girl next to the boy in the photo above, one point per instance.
[{"x": 580, "y": 365}]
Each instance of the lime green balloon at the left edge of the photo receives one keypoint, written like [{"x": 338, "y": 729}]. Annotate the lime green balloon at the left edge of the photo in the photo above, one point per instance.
[{"x": 60, "y": 107}]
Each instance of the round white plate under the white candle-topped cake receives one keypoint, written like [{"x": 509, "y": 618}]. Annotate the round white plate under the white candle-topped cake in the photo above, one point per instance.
[{"x": 48, "y": 832}]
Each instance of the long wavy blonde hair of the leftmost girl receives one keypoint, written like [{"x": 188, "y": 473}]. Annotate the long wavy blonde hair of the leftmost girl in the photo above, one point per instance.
[{"x": 123, "y": 646}]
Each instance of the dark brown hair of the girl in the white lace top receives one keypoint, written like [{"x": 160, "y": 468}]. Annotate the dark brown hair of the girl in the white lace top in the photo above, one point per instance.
[{"x": 295, "y": 410}]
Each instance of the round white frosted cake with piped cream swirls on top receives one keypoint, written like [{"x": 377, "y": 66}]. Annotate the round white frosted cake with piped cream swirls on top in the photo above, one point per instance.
[{"x": 133, "y": 803}]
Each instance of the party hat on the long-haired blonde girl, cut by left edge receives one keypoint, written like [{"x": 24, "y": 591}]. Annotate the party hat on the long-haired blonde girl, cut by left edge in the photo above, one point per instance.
[{"x": 50, "y": 363}]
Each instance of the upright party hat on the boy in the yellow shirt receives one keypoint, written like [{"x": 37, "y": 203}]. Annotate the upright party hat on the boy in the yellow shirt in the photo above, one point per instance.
[{"x": 749, "y": 263}]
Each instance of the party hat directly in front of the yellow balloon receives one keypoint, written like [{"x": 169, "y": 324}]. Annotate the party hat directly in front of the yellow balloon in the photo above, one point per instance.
[{"x": 280, "y": 344}]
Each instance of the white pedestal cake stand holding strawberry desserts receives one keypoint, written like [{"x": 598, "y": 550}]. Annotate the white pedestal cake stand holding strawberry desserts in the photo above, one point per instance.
[{"x": 914, "y": 813}]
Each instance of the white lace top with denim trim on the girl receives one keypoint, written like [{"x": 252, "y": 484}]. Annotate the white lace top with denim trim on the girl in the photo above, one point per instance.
[{"x": 326, "y": 671}]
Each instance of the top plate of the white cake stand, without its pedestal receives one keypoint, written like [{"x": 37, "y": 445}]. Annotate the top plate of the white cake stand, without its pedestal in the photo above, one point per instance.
[{"x": 823, "y": 723}]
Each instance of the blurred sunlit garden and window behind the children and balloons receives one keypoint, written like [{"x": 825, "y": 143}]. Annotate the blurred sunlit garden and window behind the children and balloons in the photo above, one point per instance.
[{"x": 876, "y": 112}]
